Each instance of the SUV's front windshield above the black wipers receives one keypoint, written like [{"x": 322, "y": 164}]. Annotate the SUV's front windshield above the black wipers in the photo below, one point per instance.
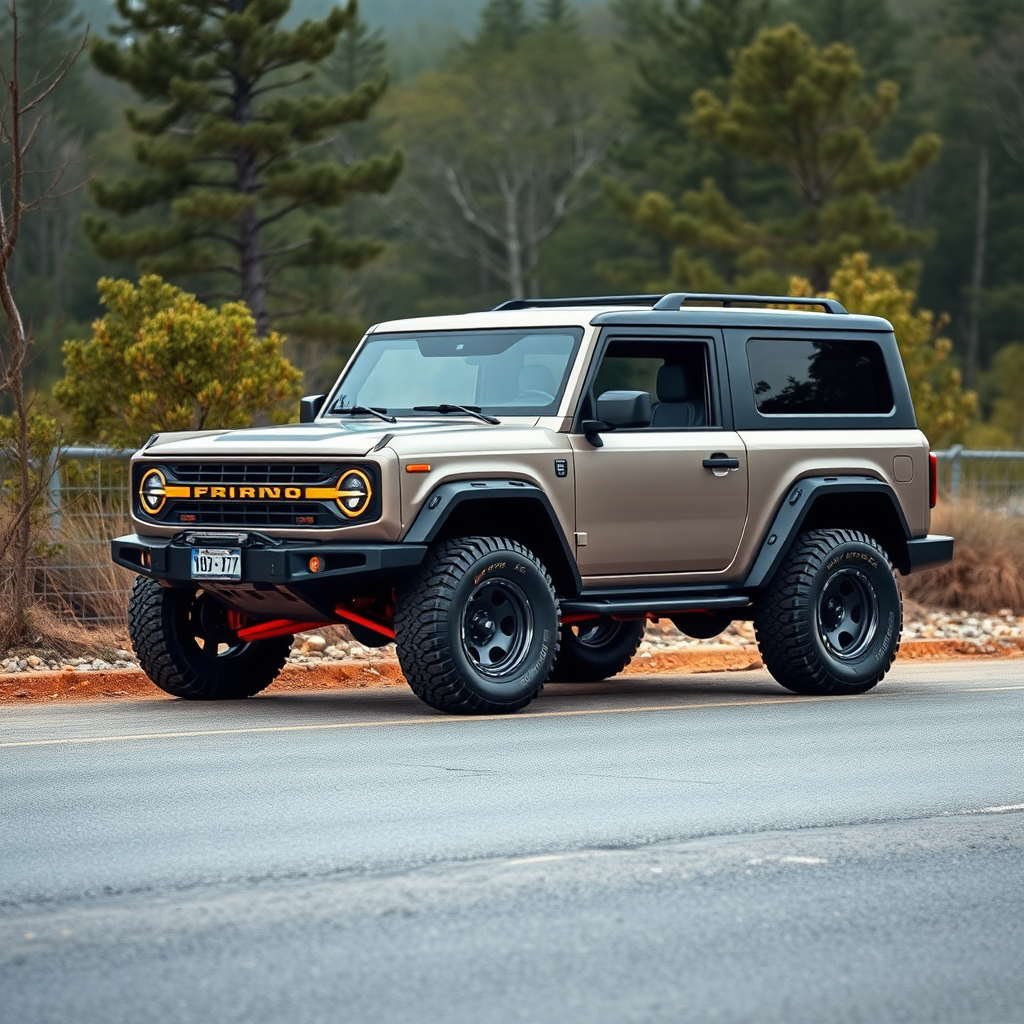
[{"x": 511, "y": 372}]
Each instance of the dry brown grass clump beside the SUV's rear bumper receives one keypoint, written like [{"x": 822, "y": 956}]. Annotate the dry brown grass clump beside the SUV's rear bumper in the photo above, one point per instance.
[{"x": 988, "y": 572}]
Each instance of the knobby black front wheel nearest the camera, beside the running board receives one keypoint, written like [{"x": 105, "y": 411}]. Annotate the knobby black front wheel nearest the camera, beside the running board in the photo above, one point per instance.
[{"x": 478, "y": 629}]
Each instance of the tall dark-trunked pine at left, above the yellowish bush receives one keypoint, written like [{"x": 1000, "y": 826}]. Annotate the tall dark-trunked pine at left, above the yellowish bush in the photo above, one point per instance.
[{"x": 225, "y": 141}]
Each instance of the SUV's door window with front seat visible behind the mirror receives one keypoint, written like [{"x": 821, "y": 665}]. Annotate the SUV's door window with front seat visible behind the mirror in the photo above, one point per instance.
[{"x": 673, "y": 373}]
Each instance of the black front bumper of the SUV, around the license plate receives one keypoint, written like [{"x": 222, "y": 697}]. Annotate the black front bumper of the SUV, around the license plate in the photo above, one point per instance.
[{"x": 278, "y": 564}]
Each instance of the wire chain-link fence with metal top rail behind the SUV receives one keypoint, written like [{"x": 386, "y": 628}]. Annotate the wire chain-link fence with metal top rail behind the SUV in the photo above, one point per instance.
[{"x": 89, "y": 504}]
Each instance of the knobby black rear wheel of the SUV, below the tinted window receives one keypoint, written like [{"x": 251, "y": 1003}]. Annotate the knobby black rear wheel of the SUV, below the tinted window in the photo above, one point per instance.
[{"x": 830, "y": 622}]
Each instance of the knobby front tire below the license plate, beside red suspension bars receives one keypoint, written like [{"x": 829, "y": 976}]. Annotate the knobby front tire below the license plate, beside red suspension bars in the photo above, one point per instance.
[{"x": 185, "y": 646}]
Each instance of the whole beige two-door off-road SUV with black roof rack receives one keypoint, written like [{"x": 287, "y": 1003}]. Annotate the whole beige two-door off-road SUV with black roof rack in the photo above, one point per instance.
[{"x": 511, "y": 496}]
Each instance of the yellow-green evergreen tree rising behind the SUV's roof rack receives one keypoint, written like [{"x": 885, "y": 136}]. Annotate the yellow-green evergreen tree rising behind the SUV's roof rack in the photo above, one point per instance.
[{"x": 803, "y": 110}]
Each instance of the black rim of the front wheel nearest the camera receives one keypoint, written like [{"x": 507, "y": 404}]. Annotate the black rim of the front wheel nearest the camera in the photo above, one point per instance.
[{"x": 497, "y": 628}]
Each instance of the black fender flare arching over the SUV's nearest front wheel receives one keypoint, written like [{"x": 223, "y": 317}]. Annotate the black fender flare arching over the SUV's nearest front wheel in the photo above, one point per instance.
[{"x": 446, "y": 498}]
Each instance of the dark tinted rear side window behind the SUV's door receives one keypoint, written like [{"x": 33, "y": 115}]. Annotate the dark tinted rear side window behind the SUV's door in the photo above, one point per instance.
[{"x": 817, "y": 378}]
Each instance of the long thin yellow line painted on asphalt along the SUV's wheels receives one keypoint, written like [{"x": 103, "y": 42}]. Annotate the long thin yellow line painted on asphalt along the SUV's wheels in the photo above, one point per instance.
[{"x": 782, "y": 701}]
